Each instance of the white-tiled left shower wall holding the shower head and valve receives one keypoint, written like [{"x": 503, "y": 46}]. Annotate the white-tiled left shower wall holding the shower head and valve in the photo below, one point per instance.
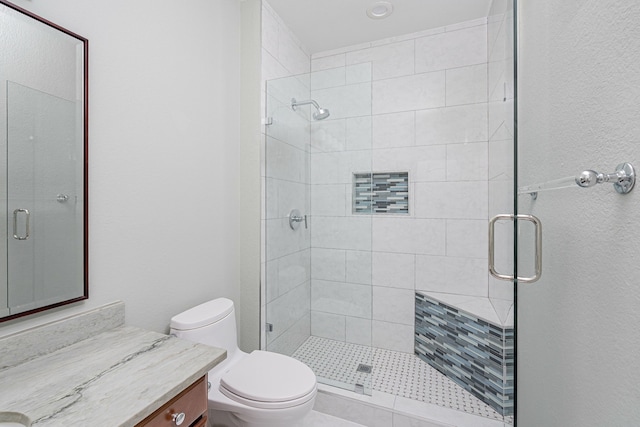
[{"x": 286, "y": 258}]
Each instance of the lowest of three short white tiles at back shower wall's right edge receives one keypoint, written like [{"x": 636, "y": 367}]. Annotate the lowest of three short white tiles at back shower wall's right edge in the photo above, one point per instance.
[{"x": 467, "y": 238}]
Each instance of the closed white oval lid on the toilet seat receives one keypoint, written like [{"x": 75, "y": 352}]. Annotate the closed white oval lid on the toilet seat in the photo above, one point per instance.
[{"x": 269, "y": 377}]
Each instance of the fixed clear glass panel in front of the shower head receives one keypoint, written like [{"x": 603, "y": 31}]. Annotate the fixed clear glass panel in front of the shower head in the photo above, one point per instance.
[{"x": 318, "y": 276}]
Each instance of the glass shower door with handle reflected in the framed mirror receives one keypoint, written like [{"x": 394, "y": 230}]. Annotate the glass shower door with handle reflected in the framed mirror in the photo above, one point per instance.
[{"x": 44, "y": 209}]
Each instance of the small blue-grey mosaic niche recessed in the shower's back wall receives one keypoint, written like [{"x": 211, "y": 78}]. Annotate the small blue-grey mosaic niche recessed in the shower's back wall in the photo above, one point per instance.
[{"x": 381, "y": 193}]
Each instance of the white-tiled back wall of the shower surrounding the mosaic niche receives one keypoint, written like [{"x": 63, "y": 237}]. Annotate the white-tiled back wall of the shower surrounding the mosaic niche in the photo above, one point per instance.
[{"x": 428, "y": 117}]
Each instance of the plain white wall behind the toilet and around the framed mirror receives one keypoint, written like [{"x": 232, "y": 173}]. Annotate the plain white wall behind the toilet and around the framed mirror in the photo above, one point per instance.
[{"x": 163, "y": 131}]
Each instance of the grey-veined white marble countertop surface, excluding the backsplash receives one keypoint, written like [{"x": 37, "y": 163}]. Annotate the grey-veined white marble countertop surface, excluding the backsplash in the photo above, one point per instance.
[{"x": 115, "y": 378}]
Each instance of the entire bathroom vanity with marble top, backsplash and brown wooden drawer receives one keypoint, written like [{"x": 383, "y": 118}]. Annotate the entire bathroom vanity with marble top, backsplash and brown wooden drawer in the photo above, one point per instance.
[{"x": 92, "y": 370}]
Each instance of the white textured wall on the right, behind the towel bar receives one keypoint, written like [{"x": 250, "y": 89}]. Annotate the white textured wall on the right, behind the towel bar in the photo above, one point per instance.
[{"x": 579, "y": 103}]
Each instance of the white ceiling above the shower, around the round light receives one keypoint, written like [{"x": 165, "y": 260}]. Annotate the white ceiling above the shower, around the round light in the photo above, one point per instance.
[{"x": 322, "y": 25}]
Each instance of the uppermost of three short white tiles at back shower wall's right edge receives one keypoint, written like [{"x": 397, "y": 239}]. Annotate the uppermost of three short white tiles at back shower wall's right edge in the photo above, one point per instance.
[{"x": 467, "y": 85}]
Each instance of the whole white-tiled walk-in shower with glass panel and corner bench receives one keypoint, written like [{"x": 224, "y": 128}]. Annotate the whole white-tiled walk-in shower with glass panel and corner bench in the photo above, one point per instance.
[{"x": 375, "y": 216}]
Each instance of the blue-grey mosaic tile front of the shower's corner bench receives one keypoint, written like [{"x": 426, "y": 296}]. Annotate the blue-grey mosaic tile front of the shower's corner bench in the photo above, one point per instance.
[{"x": 473, "y": 353}]
